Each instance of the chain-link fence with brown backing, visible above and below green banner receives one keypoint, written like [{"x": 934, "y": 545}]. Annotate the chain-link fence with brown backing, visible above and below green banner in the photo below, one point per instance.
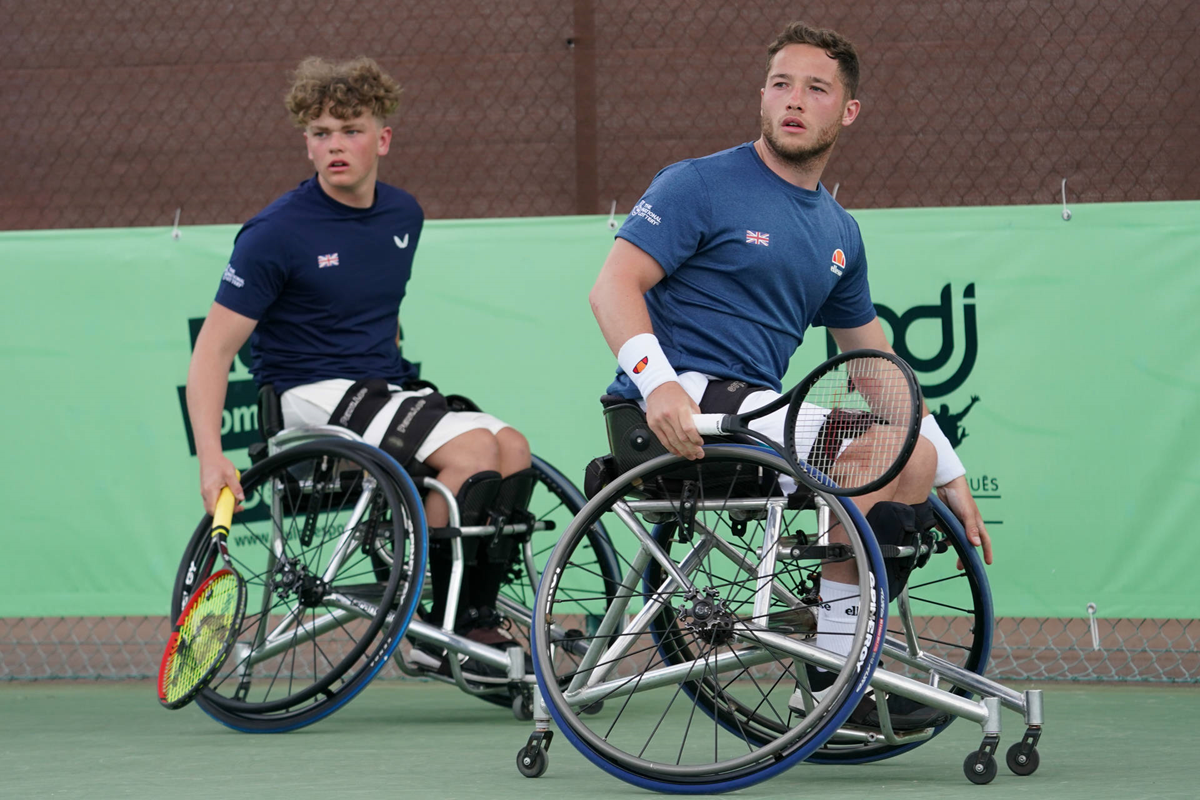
[{"x": 121, "y": 113}]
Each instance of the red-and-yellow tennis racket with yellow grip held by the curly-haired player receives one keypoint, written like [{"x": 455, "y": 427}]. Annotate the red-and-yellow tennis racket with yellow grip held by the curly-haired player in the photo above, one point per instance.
[{"x": 209, "y": 624}]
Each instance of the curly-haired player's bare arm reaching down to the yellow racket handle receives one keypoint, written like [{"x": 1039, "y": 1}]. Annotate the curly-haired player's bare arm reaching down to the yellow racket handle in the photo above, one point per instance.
[{"x": 208, "y": 380}]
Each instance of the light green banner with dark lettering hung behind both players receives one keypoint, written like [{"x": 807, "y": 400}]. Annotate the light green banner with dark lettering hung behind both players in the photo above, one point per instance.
[{"x": 1034, "y": 338}]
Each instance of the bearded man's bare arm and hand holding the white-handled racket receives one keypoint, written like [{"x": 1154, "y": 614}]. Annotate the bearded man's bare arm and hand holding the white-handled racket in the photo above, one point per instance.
[{"x": 619, "y": 303}]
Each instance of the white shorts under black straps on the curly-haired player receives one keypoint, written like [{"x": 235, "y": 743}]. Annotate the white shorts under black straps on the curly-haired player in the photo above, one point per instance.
[{"x": 314, "y": 405}]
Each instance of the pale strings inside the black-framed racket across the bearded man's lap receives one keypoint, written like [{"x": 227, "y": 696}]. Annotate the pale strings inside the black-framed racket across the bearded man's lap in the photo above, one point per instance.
[{"x": 855, "y": 420}]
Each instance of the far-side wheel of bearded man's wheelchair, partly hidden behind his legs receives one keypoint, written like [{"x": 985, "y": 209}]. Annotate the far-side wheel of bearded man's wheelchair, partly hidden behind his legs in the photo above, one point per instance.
[{"x": 949, "y": 616}]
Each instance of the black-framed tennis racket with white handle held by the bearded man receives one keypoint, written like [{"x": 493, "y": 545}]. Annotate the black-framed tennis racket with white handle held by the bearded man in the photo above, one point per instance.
[{"x": 850, "y": 425}]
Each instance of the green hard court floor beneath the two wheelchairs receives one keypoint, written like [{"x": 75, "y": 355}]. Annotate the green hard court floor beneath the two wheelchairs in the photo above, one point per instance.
[{"x": 421, "y": 741}]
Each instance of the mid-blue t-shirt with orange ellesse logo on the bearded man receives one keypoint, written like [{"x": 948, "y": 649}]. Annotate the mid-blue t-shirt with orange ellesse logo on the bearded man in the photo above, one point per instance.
[{"x": 751, "y": 261}]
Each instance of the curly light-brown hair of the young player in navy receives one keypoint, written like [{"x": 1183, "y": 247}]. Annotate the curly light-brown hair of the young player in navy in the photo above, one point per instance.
[{"x": 346, "y": 91}]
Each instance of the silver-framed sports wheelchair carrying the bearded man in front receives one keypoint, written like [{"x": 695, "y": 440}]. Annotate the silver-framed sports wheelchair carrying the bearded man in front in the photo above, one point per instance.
[{"x": 699, "y": 671}]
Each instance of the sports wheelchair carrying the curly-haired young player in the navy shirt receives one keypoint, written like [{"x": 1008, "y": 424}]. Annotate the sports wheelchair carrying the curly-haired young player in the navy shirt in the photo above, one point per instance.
[{"x": 335, "y": 551}]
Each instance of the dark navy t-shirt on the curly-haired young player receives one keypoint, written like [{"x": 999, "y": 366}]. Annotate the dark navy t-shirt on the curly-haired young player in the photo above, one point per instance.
[{"x": 325, "y": 281}]
